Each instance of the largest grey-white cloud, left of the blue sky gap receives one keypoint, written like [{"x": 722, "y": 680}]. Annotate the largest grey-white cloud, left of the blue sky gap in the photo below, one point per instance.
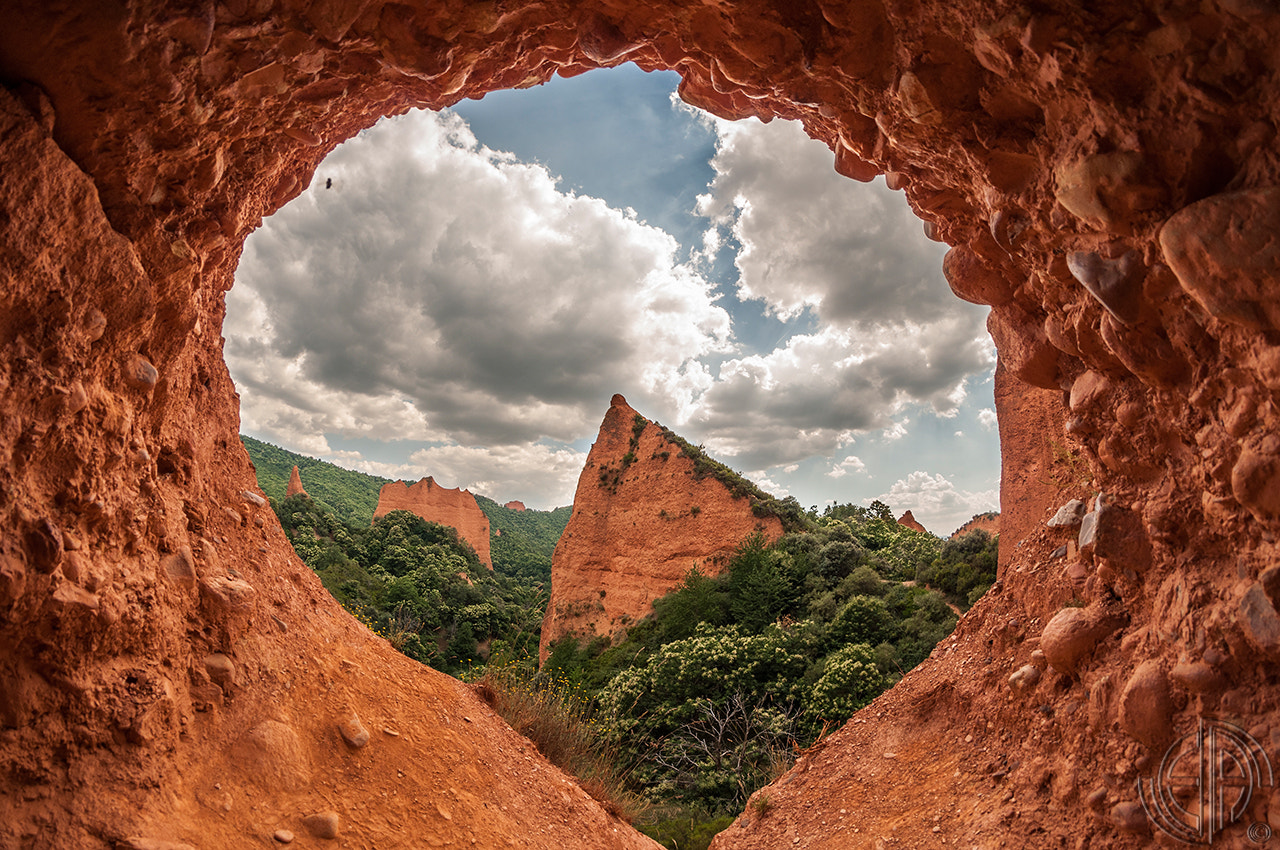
[{"x": 441, "y": 291}]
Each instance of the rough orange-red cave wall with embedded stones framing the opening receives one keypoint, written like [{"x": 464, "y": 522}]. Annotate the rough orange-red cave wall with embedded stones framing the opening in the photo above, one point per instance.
[{"x": 1107, "y": 176}]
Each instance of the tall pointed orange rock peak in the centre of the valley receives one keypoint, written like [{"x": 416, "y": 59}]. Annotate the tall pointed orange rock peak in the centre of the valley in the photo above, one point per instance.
[{"x": 642, "y": 520}]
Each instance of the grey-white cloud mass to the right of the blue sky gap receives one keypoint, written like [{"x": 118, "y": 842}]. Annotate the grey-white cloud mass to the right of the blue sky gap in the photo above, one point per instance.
[{"x": 889, "y": 331}]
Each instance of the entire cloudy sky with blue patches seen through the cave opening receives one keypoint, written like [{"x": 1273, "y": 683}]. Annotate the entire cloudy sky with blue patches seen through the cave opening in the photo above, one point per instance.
[{"x": 476, "y": 285}]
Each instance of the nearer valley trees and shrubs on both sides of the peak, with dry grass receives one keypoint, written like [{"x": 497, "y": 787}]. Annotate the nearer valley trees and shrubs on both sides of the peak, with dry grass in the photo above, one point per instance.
[{"x": 682, "y": 719}]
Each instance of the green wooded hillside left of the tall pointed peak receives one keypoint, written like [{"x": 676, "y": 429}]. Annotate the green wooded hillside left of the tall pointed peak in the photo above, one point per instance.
[{"x": 413, "y": 582}]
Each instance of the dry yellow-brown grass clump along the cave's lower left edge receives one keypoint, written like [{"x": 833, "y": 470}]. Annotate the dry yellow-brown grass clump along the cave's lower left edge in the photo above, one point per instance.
[{"x": 564, "y": 725}]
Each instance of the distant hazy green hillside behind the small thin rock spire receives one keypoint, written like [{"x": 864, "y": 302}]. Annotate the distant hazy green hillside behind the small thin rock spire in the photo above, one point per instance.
[{"x": 348, "y": 495}]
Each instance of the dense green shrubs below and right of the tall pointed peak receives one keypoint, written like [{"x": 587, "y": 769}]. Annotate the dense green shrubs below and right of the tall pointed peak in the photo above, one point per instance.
[{"x": 711, "y": 697}]
